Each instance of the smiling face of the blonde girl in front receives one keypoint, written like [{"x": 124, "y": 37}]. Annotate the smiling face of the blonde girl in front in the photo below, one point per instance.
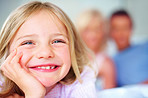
[{"x": 43, "y": 41}]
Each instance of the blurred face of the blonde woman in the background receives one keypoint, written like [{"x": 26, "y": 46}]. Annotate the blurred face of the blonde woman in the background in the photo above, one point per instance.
[{"x": 93, "y": 35}]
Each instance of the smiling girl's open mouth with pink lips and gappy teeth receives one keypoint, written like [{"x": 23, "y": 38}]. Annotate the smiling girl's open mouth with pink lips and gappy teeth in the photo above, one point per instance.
[{"x": 45, "y": 67}]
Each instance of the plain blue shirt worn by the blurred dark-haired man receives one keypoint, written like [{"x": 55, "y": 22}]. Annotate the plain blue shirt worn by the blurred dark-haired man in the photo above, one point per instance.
[{"x": 132, "y": 65}]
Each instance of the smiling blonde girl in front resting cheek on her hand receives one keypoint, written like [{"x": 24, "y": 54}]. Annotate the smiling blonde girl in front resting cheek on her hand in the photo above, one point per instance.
[{"x": 42, "y": 55}]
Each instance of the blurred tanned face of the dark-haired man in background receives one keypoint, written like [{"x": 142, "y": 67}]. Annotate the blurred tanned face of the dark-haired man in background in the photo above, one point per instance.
[{"x": 121, "y": 31}]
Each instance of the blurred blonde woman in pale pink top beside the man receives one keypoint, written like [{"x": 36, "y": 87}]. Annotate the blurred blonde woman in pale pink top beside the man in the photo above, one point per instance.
[{"x": 91, "y": 27}]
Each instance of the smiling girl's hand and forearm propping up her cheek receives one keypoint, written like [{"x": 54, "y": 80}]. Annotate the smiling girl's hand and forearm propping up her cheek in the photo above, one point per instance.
[{"x": 28, "y": 84}]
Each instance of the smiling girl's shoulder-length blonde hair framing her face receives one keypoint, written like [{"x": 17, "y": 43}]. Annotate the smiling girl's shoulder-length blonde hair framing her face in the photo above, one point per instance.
[{"x": 78, "y": 50}]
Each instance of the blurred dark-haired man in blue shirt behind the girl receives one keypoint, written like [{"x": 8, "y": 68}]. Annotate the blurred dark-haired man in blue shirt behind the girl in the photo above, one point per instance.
[{"x": 131, "y": 61}]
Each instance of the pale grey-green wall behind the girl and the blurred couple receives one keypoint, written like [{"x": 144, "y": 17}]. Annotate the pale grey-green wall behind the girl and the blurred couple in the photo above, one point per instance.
[{"x": 136, "y": 8}]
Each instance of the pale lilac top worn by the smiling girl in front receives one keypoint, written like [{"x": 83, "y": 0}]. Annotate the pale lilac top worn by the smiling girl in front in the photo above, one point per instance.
[{"x": 76, "y": 90}]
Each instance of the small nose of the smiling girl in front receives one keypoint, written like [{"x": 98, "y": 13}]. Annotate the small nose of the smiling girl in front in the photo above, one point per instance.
[{"x": 45, "y": 52}]
